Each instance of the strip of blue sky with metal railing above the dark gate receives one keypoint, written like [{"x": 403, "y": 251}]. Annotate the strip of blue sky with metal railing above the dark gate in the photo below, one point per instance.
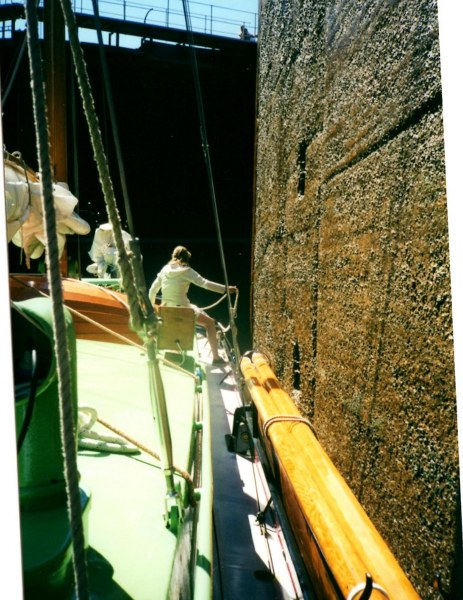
[{"x": 205, "y": 17}]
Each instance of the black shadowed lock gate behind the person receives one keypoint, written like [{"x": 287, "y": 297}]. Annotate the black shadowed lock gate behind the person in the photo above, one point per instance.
[{"x": 165, "y": 174}]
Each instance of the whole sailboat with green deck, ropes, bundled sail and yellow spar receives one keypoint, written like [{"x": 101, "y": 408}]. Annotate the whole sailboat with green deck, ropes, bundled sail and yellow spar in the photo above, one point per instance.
[{"x": 144, "y": 471}]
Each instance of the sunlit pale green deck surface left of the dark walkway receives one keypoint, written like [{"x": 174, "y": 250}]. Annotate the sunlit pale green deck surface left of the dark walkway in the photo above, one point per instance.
[{"x": 127, "y": 532}]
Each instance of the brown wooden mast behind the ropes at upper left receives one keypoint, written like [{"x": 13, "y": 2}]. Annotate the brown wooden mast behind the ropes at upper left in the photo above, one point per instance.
[{"x": 55, "y": 85}]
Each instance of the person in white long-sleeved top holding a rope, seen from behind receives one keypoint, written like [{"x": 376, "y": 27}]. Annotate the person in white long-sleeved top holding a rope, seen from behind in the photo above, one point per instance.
[{"x": 174, "y": 280}]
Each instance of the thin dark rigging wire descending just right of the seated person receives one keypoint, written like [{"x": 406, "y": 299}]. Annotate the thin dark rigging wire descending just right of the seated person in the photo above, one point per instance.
[{"x": 207, "y": 158}]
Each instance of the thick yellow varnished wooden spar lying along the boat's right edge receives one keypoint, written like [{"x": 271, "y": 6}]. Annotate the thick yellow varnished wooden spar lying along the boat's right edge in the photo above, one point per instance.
[{"x": 338, "y": 542}]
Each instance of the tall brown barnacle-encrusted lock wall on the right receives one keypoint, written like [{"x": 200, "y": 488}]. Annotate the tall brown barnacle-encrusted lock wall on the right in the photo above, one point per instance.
[{"x": 351, "y": 294}]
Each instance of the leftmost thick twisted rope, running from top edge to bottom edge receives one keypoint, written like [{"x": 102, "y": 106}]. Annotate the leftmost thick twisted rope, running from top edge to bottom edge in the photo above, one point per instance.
[{"x": 59, "y": 326}]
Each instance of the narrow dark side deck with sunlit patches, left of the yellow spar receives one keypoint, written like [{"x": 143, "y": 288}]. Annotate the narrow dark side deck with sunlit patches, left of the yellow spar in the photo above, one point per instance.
[{"x": 251, "y": 560}]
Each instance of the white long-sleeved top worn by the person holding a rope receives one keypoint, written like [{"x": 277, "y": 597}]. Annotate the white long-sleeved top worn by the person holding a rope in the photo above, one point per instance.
[{"x": 174, "y": 280}]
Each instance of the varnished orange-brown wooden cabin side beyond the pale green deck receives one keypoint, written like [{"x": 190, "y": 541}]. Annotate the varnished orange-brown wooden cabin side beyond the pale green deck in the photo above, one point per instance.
[{"x": 102, "y": 306}]
